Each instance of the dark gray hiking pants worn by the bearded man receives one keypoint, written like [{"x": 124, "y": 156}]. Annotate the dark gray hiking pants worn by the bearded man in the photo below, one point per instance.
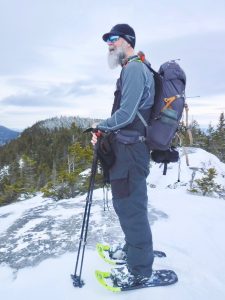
[{"x": 128, "y": 182}]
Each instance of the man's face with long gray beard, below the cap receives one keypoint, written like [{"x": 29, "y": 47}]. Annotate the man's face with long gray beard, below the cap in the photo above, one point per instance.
[{"x": 117, "y": 52}]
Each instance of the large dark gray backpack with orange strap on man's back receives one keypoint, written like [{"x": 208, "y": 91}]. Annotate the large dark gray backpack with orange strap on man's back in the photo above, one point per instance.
[{"x": 166, "y": 112}]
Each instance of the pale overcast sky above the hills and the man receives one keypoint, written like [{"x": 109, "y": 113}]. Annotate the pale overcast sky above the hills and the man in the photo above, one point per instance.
[{"x": 53, "y": 61}]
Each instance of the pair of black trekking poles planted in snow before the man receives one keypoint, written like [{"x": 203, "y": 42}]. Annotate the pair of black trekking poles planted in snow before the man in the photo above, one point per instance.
[{"x": 76, "y": 277}]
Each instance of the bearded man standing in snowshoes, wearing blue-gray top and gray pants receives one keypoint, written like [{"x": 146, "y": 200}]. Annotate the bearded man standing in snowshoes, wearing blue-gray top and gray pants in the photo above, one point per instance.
[{"x": 135, "y": 93}]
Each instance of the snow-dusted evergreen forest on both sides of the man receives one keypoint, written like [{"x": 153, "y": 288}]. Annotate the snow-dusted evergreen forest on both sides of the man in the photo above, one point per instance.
[{"x": 50, "y": 159}]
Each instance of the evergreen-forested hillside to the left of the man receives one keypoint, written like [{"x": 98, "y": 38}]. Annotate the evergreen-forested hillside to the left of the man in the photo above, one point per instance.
[{"x": 39, "y": 159}]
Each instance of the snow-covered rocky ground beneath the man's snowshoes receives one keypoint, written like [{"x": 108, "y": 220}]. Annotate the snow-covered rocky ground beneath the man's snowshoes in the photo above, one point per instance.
[{"x": 39, "y": 237}]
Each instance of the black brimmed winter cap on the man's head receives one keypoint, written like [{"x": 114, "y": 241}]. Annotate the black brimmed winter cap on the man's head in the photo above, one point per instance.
[{"x": 123, "y": 30}]
